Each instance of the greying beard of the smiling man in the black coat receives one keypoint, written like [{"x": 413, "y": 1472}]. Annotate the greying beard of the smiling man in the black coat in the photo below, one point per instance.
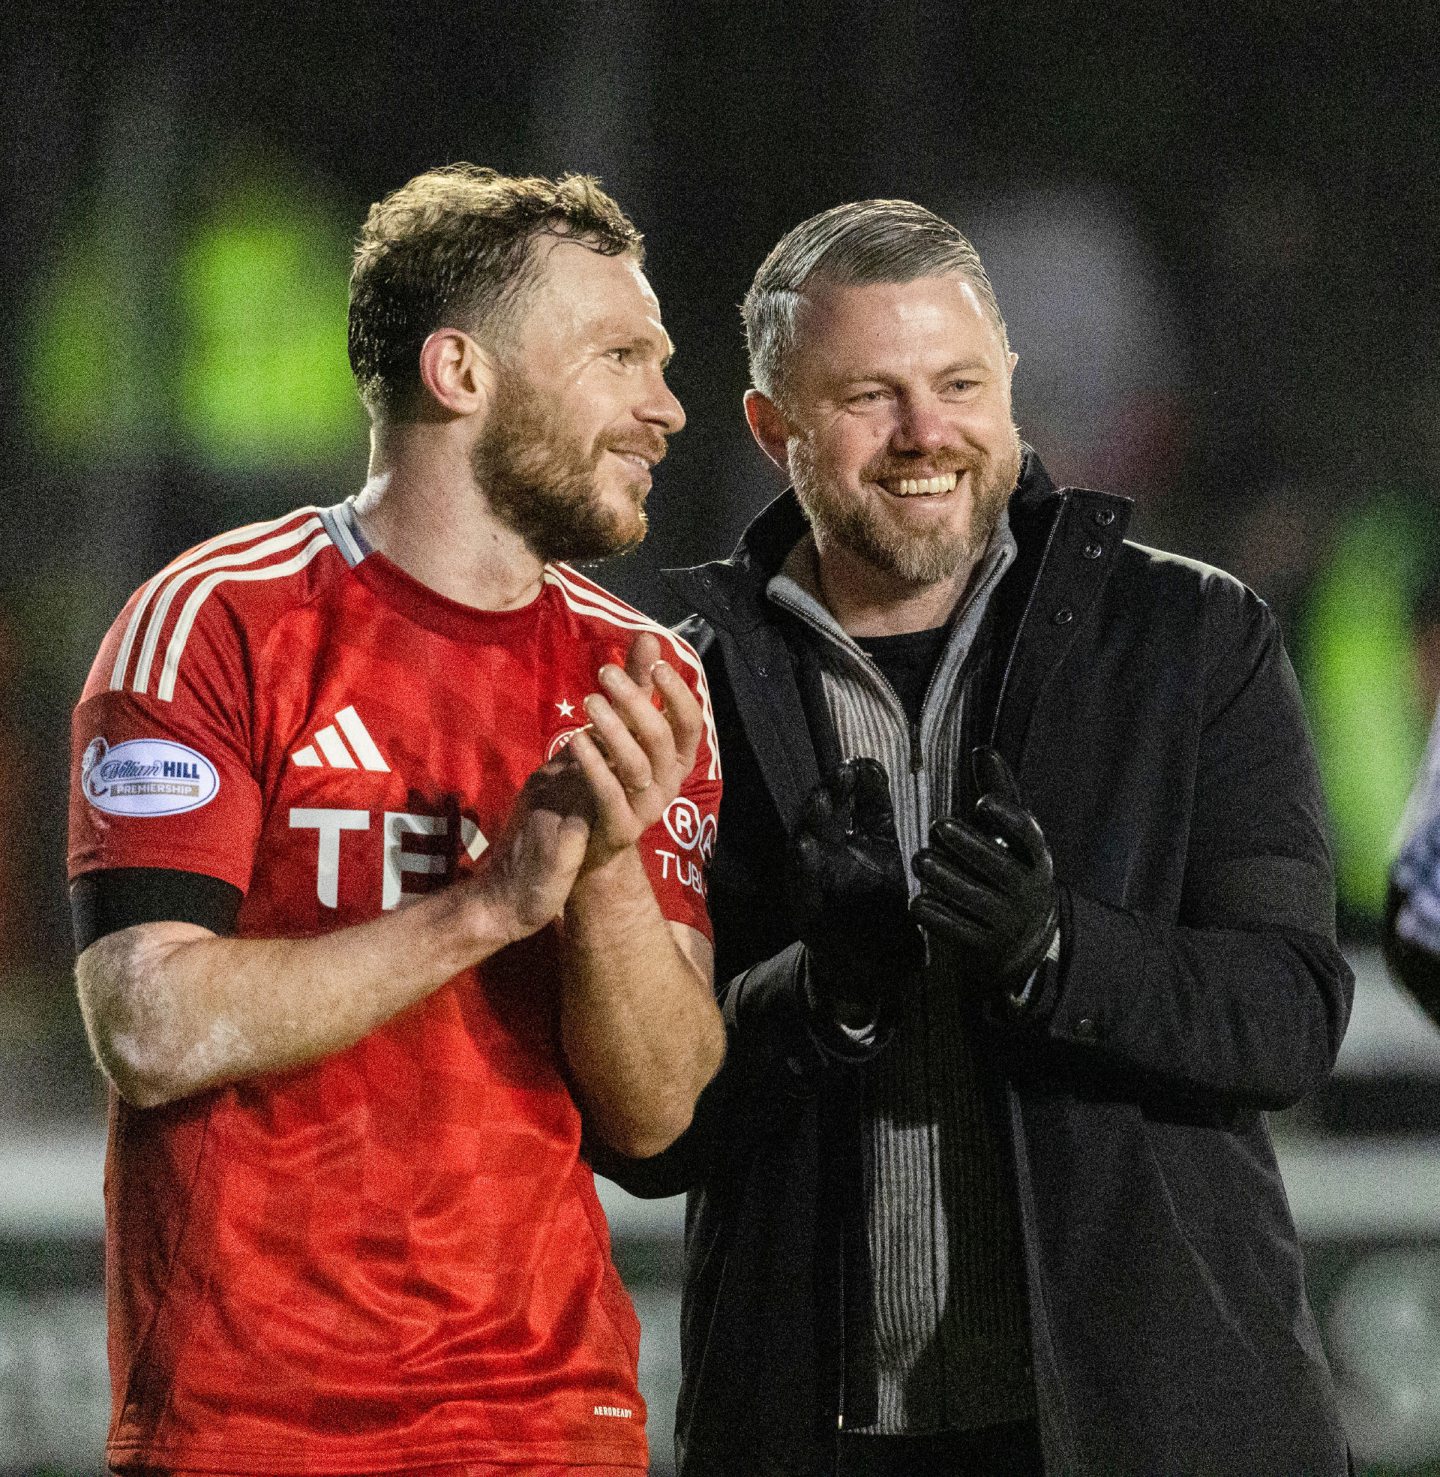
[{"x": 915, "y": 558}]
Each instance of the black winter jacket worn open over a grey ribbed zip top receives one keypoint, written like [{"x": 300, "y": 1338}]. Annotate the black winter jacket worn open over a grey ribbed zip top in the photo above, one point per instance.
[{"x": 1153, "y": 720}]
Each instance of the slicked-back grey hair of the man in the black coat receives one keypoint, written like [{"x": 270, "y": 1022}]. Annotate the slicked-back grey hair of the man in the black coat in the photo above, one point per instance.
[{"x": 851, "y": 246}]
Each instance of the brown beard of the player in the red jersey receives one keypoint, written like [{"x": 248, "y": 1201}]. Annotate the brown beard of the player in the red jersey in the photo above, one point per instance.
[{"x": 544, "y": 487}]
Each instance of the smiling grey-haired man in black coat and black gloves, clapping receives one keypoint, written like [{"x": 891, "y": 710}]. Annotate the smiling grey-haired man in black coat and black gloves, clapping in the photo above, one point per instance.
[{"x": 1024, "y": 918}]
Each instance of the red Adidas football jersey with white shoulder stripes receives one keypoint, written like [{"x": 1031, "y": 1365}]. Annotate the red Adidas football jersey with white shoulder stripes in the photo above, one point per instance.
[{"x": 394, "y": 1258}]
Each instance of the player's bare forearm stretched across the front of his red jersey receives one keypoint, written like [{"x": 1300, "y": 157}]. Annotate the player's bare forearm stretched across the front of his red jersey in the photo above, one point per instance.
[{"x": 174, "y": 1010}]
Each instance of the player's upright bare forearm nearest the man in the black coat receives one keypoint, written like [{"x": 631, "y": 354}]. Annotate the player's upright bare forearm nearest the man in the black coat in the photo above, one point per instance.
[{"x": 640, "y": 1026}]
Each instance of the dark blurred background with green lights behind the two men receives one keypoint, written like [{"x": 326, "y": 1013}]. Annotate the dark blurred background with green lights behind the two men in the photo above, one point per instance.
[{"x": 1213, "y": 231}]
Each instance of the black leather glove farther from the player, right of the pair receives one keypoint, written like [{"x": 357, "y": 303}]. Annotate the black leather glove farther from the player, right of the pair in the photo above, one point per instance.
[{"x": 987, "y": 885}]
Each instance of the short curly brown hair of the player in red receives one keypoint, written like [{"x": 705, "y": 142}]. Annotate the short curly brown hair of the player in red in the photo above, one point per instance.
[{"x": 451, "y": 249}]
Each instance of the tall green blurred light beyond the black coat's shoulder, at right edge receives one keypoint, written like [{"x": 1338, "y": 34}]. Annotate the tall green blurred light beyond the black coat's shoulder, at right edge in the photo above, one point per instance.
[{"x": 1364, "y": 695}]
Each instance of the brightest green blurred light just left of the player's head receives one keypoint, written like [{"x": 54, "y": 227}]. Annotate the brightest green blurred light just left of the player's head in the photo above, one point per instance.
[{"x": 264, "y": 377}]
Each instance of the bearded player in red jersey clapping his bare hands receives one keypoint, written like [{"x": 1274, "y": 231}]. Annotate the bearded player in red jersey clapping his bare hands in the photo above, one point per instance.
[{"x": 382, "y": 908}]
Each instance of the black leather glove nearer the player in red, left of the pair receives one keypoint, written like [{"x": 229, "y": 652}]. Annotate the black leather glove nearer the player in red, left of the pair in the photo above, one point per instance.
[{"x": 850, "y": 900}]
